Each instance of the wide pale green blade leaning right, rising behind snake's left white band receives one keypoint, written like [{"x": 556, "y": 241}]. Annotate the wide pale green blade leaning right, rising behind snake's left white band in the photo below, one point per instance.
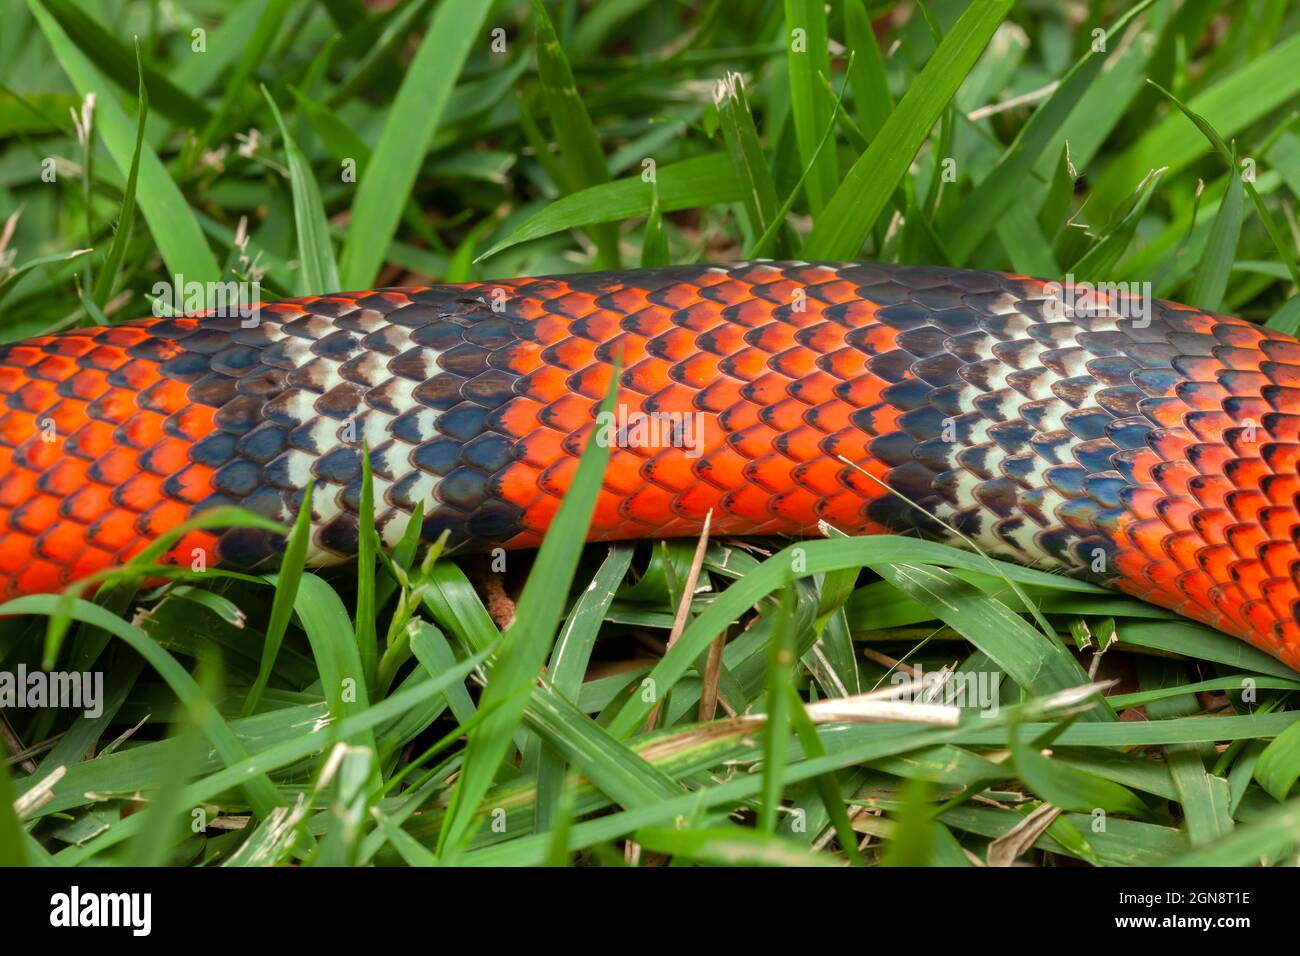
[{"x": 408, "y": 132}]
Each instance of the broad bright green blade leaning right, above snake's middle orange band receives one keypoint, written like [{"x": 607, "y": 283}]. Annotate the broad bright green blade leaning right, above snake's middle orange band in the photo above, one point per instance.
[{"x": 866, "y": 189}]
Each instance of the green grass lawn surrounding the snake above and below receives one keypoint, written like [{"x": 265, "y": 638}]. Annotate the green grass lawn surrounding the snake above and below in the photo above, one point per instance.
[{"x": 309, "y": 717}]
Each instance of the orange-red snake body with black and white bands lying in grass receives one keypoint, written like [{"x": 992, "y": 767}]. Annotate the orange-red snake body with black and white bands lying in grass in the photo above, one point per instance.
[{"x": 1098, "y": 432}]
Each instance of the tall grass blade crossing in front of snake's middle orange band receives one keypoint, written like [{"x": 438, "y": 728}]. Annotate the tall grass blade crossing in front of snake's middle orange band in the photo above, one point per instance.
[{"x": 531, "y": 637}]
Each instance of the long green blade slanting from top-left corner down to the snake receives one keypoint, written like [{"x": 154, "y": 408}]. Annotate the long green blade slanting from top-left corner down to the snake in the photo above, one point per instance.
[{"x": 163, "y": 206}]
